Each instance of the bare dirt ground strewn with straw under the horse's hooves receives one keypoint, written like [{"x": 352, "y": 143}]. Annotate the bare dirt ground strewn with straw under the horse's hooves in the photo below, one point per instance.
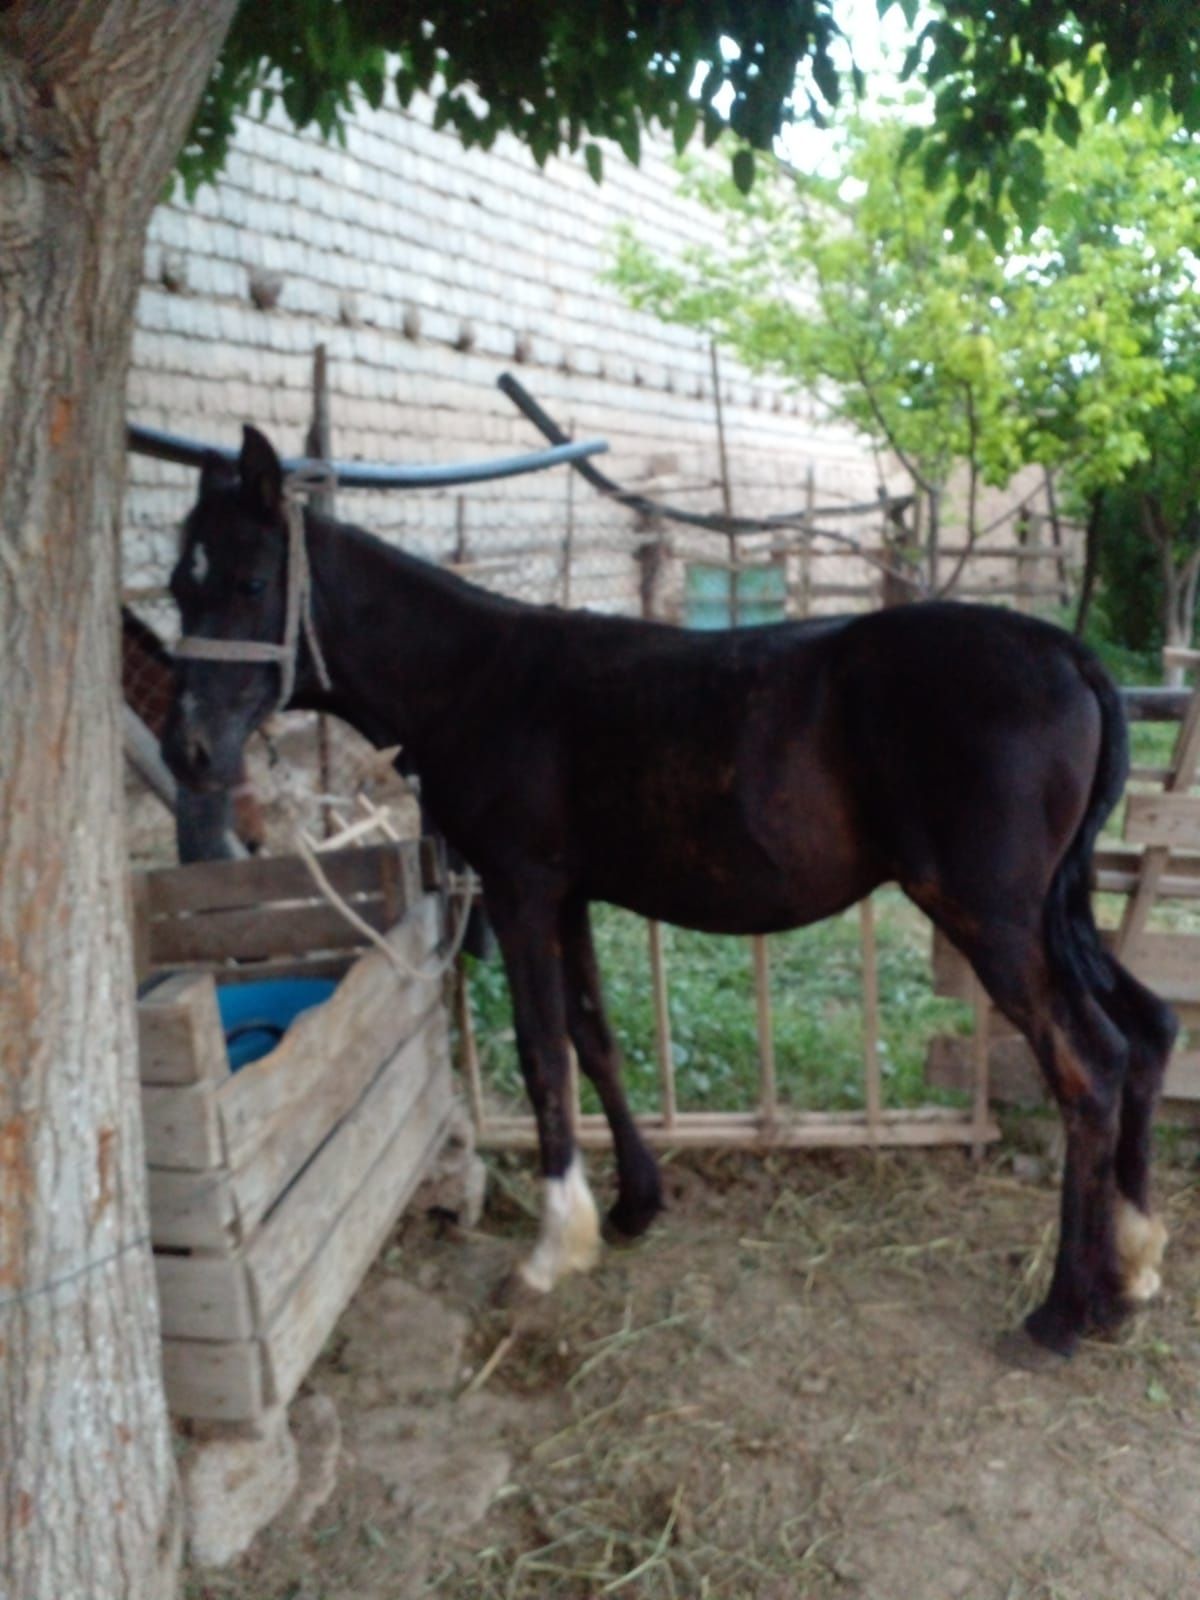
[{"x": 796, "y": 1386}]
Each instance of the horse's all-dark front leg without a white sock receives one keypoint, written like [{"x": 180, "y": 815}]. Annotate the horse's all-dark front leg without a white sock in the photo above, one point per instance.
[{"x": 639, "y": 1185}]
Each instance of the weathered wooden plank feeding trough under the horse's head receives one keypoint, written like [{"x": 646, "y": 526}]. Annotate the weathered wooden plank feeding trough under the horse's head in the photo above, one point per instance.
[{"x": 273, "y": 1188}]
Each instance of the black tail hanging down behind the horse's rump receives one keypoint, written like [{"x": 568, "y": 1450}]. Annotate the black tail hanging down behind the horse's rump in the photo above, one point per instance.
[{"x": 1073, "y": 938}]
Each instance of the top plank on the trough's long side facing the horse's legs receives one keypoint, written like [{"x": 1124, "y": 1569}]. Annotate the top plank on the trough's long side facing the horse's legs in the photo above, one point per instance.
[{"x": 278, "y": 1111}]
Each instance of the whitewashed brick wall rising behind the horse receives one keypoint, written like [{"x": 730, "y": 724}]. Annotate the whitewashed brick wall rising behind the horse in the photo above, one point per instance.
[{"x": 406, "y": 223}]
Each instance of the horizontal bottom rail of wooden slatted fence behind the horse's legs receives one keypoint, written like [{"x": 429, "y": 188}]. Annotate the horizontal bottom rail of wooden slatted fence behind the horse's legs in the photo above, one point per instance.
[{"x": 746, "y": 1130}]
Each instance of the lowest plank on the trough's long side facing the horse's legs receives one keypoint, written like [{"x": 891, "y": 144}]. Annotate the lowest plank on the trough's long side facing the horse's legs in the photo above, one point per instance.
[{"x": 353, "y": 1239}]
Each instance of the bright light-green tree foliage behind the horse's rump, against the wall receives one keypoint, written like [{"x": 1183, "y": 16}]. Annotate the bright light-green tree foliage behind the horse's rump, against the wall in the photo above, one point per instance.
[{"x": 1065, "y": 350}]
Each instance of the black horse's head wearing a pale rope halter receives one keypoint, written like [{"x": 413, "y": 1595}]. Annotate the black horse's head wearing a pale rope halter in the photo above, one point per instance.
[{"x": 231, "y": 583}]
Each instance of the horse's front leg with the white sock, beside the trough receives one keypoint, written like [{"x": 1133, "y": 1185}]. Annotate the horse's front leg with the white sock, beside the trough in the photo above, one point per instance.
[{"x": 527, "y": 929}]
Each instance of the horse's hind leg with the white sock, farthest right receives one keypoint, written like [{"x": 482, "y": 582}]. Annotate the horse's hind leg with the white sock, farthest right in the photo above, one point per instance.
[{"x": 1150, "y": 1028}]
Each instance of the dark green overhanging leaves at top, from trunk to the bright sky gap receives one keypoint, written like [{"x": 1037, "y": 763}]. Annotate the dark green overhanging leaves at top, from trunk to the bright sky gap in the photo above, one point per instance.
[{"x": 553, "y": 74}]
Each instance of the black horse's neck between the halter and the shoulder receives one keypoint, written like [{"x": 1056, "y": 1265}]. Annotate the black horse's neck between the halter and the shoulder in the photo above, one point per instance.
[{"x": 404, "y": 641}]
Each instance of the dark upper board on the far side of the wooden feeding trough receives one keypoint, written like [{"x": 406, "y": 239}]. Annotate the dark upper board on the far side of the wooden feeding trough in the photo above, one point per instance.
[{"x": 228, "y": 886}]
